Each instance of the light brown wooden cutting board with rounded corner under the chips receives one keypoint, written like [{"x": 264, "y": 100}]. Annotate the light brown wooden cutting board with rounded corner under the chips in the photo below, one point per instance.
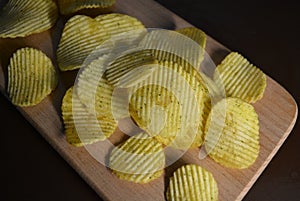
[{"x": 277, "y": 114}]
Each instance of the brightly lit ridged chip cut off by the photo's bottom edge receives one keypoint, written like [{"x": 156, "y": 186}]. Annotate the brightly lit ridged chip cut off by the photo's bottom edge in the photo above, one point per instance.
[{"x": 192, "y": 182}]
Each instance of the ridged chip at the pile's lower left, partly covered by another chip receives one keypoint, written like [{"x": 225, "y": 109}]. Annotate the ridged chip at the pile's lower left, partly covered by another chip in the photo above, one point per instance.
[{"x": 81, "y": 127}]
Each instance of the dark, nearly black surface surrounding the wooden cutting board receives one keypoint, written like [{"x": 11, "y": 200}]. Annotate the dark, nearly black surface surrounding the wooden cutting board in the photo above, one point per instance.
[{"x": 267, "y": 33}]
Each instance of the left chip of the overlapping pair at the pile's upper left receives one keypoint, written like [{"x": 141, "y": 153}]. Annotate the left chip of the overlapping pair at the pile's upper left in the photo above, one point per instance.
[{"x": 81, "y": 35}]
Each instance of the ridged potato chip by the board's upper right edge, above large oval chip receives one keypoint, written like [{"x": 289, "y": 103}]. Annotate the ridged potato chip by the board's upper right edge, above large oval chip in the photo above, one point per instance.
[{"x": 240, "y": 78}]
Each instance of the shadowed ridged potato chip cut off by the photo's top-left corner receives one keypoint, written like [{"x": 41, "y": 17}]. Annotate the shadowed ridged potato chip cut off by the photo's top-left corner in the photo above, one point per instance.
[{"x": 23, "y": 18}]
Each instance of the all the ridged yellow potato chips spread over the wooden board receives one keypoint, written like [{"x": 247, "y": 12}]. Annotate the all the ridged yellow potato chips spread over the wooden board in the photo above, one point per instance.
[{"x": 151, "y": 77}]
